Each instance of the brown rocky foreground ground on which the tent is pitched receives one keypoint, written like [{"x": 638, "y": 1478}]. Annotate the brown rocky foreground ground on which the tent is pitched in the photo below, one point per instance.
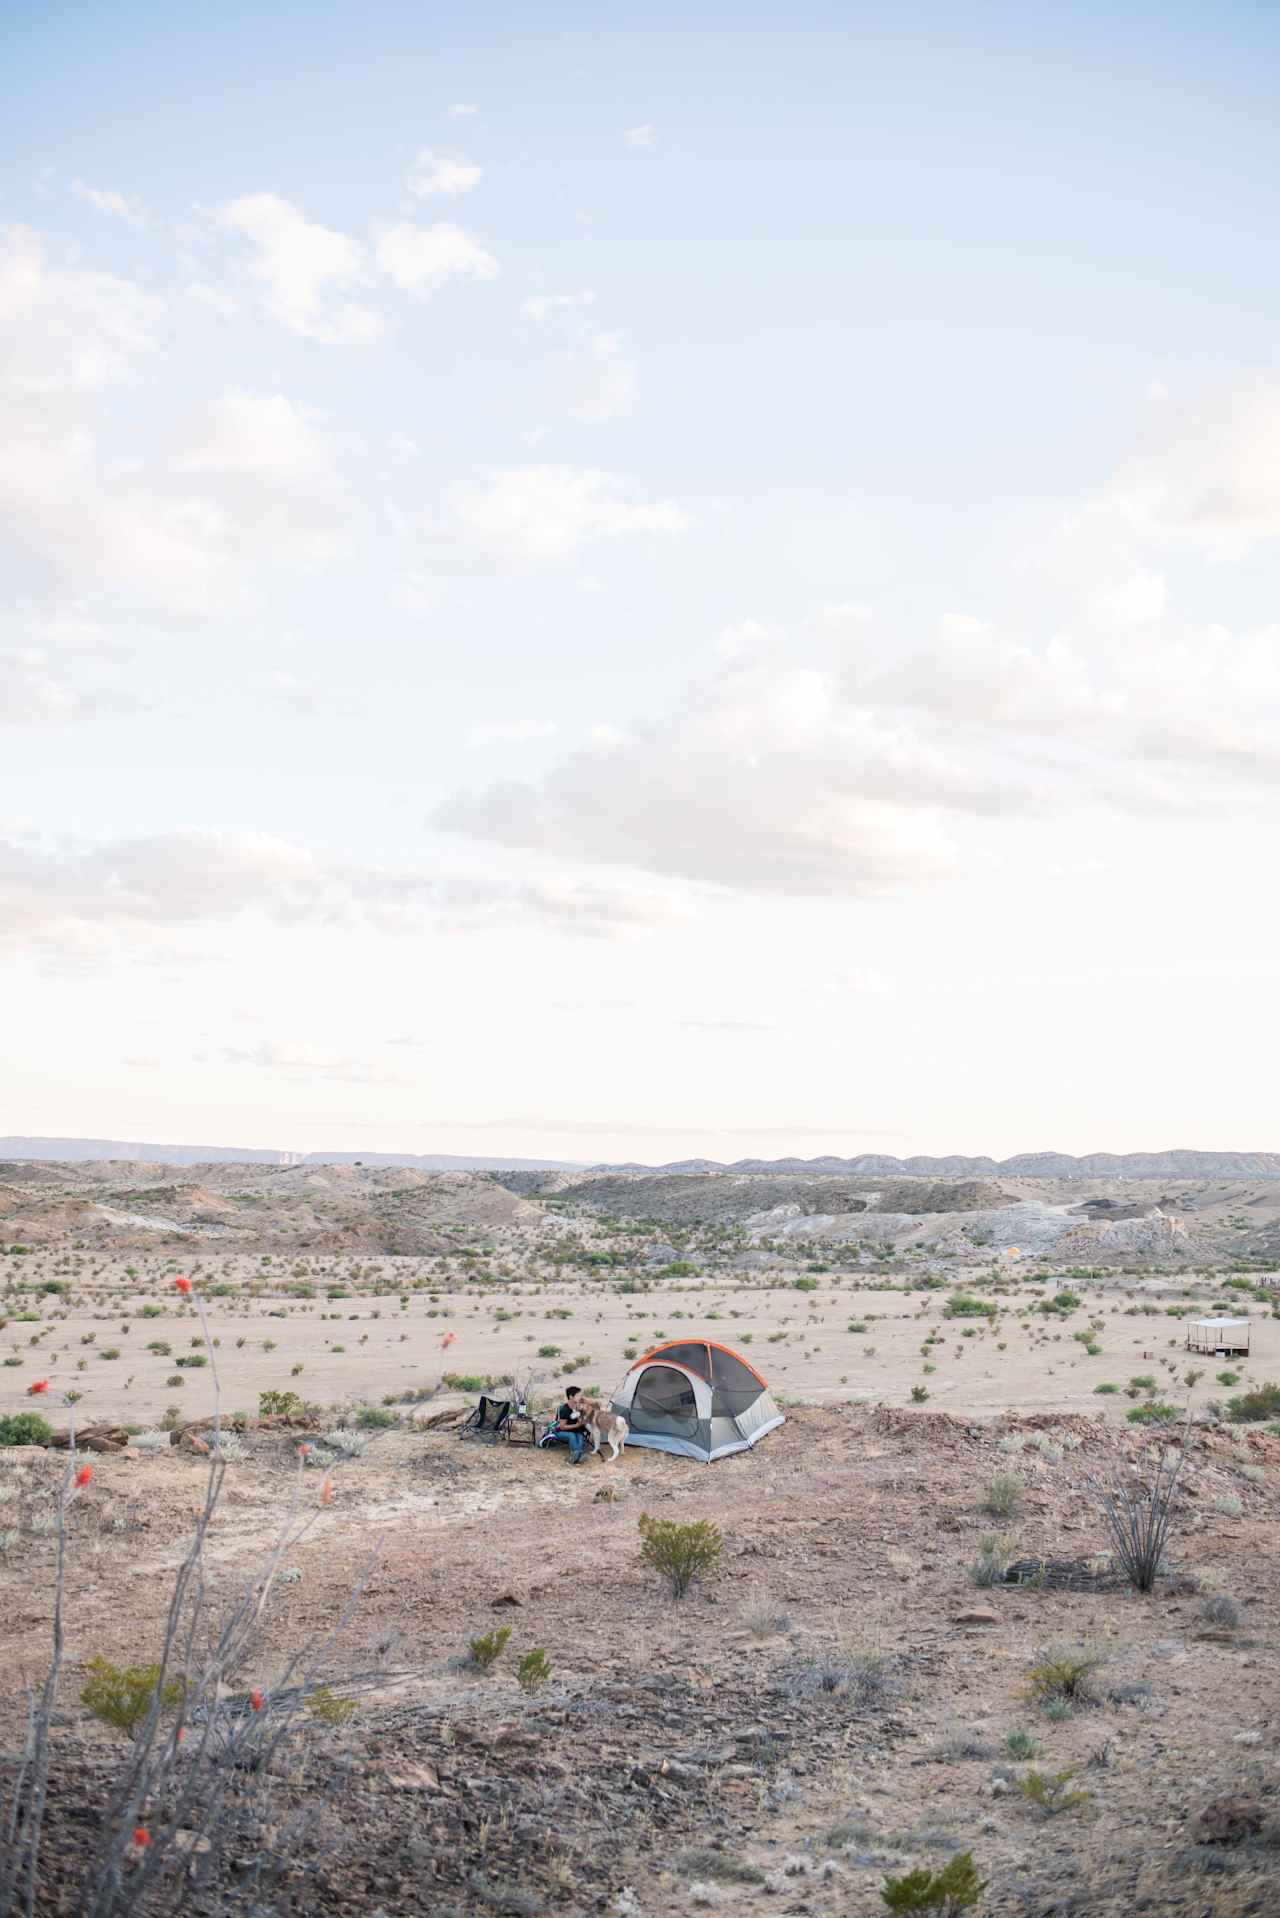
[{"x": 830, "y": 1708}]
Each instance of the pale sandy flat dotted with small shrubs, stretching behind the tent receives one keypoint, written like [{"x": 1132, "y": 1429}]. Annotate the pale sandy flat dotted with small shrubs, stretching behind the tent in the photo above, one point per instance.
[{"x": 849, "y": 1340}]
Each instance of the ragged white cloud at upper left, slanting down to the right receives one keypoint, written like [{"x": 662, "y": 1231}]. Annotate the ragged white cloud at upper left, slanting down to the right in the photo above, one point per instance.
[{"x": 306, "y": 269}]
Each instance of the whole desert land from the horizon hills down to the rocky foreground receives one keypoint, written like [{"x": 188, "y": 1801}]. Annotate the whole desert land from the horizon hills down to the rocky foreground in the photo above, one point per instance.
[{"x": 855, "y": 1691}]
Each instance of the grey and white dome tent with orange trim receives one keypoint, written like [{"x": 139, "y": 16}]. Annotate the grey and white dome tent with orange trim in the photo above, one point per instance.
[{"x": 696, "y": 1399}]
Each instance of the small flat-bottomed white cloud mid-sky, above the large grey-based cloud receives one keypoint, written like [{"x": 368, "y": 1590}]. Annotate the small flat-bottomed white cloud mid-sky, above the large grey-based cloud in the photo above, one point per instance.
[{"x": 544, "y": 517}]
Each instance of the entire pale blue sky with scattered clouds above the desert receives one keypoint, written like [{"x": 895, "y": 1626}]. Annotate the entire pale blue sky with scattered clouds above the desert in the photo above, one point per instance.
[{"x": 628, "y": 588}]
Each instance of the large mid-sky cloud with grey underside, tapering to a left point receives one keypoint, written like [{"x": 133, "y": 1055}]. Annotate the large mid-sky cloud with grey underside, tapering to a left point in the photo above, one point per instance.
[{"x": 763, "y": 780}]
